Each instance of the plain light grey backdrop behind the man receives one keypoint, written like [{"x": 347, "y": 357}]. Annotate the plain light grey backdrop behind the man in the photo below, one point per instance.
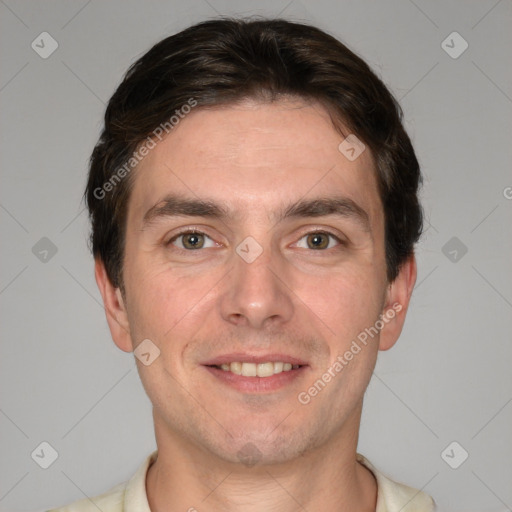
[{"x": 448, "y": 379}]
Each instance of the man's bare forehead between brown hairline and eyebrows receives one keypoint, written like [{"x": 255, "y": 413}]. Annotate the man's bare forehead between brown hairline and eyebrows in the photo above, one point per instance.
[{"x": 253, "y": 157}]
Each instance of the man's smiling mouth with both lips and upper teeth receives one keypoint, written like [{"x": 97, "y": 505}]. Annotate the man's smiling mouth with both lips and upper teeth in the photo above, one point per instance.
[{"x": 256, "y": 374}]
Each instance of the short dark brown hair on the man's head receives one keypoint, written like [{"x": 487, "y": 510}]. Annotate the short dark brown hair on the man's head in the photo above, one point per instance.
[{"x": 223, "y": 61}]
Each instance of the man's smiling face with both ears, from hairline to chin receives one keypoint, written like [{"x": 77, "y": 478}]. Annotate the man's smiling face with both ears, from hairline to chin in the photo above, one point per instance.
[{"x": 254, "y": 245}]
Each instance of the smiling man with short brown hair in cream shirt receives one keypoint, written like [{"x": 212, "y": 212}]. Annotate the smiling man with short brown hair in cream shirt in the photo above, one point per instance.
[{"x": 254, "y": 209}]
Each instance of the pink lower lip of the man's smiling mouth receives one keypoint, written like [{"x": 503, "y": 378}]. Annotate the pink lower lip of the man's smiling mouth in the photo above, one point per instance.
[{"x": 257, "y": 384}]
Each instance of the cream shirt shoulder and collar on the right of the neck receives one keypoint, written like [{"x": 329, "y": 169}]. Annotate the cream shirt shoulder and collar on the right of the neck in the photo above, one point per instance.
[{"x": 394, "y": 496}]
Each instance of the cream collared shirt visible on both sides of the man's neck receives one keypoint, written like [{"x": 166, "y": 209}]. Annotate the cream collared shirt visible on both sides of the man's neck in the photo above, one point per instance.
[{"x": 131, "y": 496}]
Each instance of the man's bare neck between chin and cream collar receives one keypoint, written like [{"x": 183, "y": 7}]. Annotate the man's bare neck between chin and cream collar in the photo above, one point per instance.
[{"x": 186, "y": 477}]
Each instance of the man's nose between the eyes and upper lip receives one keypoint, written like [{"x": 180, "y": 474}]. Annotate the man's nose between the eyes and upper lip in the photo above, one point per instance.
[{"x": 256, "y": 294}]
